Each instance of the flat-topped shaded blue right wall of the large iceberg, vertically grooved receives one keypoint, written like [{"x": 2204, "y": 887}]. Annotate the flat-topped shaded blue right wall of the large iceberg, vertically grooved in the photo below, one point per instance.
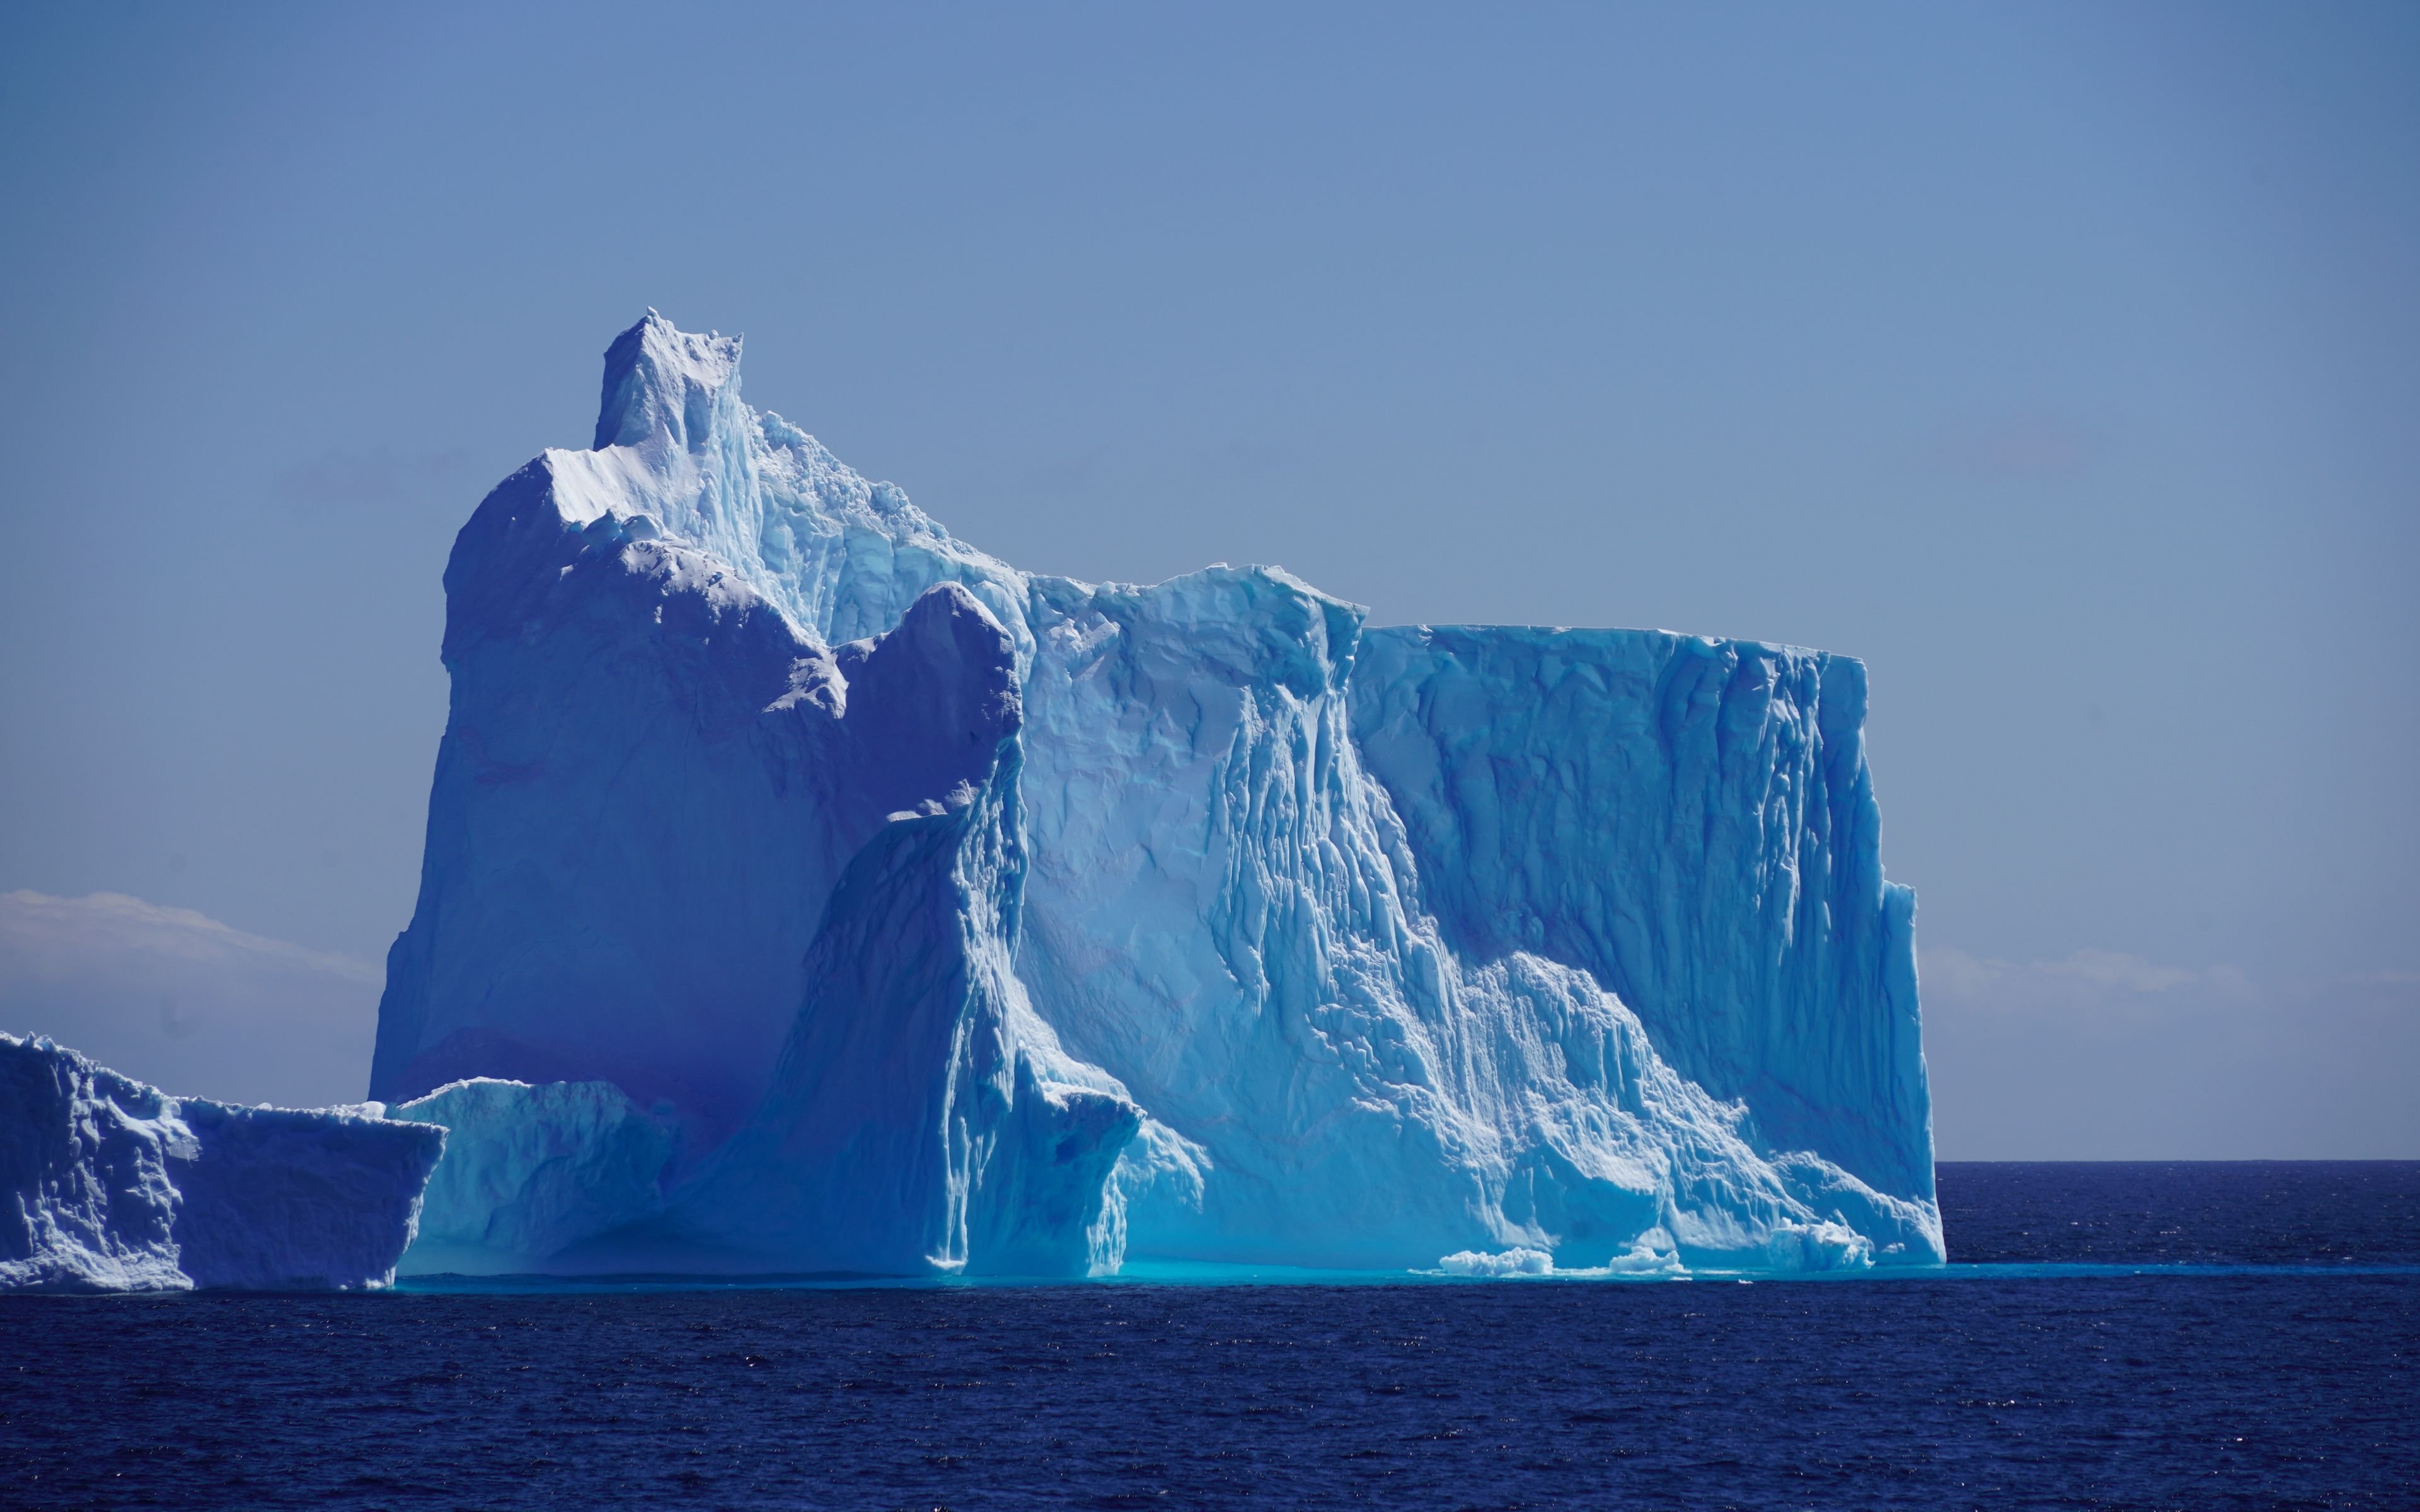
[{"x": 1688, "y": 821}]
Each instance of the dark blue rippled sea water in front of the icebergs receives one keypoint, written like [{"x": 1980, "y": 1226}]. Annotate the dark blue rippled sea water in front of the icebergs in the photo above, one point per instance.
[{"x": 2111, "y": 1337}]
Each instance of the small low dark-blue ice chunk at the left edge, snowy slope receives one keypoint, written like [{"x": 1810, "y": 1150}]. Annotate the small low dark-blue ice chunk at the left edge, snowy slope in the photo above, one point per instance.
[{"x": 115, "y": 1187}]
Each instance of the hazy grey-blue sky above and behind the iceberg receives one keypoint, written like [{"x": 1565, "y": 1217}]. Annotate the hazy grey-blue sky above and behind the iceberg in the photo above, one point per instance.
[{"x": 2063, "y": 362}]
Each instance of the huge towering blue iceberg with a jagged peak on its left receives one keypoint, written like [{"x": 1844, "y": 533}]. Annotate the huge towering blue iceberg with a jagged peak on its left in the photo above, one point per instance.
[{"x": 812, "y": 891}]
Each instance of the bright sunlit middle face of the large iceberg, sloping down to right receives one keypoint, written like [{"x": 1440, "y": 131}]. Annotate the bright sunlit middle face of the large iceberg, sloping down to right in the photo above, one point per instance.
[{"x": 1228, "y": 913}]
